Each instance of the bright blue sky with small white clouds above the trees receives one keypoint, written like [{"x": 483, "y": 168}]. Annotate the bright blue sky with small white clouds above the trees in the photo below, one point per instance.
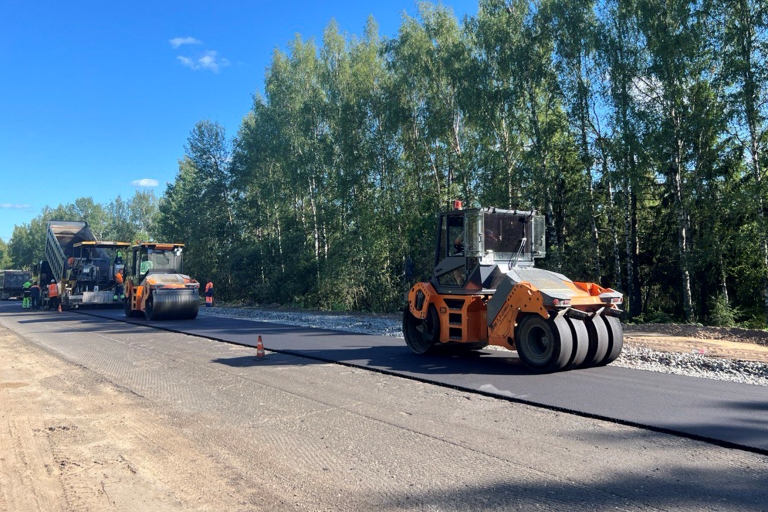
[{"x": 97, "y": 98}]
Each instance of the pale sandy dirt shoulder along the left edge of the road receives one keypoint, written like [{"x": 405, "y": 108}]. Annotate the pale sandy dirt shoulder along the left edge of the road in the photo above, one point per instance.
[{"x": 62, "y": 447}]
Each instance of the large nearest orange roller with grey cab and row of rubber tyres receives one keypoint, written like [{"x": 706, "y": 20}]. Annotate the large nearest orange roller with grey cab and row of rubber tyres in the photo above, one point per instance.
[{"x": 485, "y": 290}]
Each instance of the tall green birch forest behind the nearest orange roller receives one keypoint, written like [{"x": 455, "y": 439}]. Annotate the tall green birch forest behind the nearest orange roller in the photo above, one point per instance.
[{"x": 638, "y": 127}]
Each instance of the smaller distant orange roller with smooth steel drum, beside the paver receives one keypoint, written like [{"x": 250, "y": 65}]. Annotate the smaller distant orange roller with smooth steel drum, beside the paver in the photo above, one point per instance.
[{"x": 155, "y": 285}]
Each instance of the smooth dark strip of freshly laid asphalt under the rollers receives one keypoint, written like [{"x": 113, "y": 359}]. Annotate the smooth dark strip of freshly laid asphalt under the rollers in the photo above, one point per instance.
[{"x": 724, "y": 413}]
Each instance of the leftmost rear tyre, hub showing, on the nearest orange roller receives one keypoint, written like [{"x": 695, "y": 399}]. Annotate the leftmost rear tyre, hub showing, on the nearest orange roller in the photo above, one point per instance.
[{"x": 544, "y": 345}]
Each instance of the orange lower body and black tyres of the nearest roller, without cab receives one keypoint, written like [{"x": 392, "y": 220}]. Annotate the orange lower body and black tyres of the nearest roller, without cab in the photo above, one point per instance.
[{"x": 546, "y": 340}]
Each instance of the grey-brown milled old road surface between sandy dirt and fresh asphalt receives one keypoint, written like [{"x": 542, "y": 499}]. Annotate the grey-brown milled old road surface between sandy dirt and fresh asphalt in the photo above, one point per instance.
[{"x": 297, "y": 434}]
